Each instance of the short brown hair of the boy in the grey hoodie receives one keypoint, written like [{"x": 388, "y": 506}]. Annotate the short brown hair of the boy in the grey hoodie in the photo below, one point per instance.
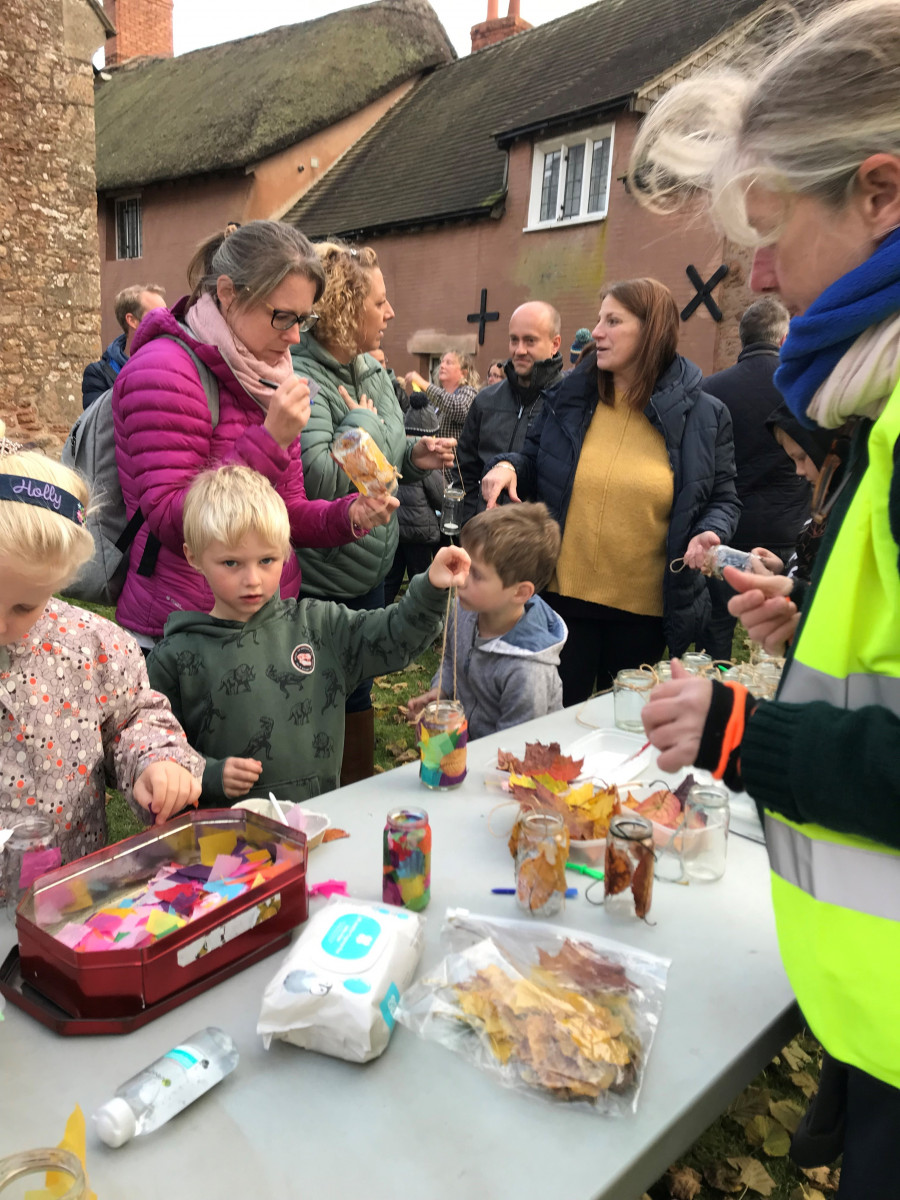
[{"x": 520, "y": 542}]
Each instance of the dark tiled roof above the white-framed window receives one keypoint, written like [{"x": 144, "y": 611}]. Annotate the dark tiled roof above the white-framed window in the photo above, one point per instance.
[{"x": 445, "y": 140}]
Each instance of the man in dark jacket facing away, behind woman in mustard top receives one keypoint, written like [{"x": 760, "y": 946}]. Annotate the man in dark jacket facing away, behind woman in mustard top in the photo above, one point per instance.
[{"x": 776, "y": 501}]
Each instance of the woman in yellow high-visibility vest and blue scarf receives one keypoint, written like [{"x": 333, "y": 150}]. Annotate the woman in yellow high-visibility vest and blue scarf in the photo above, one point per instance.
[{"x": 799, "y": 154}]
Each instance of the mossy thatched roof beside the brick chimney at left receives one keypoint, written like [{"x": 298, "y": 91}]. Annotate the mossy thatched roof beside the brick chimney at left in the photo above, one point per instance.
[{"x": 229, "y": 106}]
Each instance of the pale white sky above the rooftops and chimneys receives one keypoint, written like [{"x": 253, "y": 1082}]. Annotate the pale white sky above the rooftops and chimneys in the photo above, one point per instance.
[{"x": 207, "y": 22}]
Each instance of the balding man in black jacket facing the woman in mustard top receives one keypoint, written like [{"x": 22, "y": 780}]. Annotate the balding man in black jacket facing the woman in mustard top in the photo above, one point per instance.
[{"x": 502, "y": 415}]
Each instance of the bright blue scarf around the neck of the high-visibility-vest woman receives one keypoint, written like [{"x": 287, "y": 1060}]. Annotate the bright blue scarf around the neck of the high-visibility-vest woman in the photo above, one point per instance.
[{"x": 820, "y": 339}]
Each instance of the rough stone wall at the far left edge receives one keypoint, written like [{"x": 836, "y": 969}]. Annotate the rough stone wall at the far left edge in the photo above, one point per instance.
[{"x": 50, "y": 257}]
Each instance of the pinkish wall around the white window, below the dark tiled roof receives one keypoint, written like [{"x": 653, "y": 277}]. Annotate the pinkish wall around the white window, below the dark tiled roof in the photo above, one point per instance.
[{"x": 435, "y": 277}]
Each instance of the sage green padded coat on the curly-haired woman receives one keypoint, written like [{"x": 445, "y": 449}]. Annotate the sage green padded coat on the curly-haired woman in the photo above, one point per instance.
[{"x": 352, "y": 571}]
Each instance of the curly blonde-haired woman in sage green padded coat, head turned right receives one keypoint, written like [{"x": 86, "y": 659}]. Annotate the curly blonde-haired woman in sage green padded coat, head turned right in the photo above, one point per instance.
[{"x": 355, "y": 392}]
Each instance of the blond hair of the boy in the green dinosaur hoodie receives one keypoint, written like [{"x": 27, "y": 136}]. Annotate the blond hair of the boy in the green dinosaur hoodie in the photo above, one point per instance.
[{"x": 229, "y": 503}]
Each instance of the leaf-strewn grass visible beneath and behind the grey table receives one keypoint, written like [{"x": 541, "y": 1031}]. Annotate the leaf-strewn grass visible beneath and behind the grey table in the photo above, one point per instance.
[{"x": 754, "y": 1129}]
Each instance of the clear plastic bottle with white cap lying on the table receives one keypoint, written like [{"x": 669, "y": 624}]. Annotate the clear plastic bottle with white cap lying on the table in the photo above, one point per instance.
[{"x": 167, "y": 1087}]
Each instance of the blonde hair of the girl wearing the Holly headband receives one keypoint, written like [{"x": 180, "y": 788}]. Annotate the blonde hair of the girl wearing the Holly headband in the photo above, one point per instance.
[{"x": 43, "y": 541}]
